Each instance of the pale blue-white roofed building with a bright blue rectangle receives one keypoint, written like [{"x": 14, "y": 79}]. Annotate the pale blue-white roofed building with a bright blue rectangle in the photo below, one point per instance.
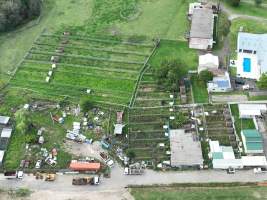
[{"x": 252, "y": 55}]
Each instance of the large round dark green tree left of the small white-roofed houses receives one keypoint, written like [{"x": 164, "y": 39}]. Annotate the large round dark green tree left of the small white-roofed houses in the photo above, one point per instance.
[{"x": 169, "y": 74}]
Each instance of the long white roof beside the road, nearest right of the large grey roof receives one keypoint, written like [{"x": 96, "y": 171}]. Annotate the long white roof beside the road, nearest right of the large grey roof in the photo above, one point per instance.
[{"x": 227, "y": 163}]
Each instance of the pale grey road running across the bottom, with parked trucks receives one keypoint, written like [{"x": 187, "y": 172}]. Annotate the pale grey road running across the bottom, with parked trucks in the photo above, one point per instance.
[{"x": 115, "y": 186}]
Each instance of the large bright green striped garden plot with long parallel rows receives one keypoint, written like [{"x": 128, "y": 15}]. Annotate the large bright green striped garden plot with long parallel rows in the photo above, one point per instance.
[{"x": 108, "y": 68}]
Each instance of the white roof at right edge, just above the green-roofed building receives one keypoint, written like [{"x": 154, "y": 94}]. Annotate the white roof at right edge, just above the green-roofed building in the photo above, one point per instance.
[{"x": 251, "y": 109}]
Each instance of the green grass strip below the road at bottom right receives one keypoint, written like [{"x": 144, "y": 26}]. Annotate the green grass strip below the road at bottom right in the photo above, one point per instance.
[{"x": 200, "y": 193}]
